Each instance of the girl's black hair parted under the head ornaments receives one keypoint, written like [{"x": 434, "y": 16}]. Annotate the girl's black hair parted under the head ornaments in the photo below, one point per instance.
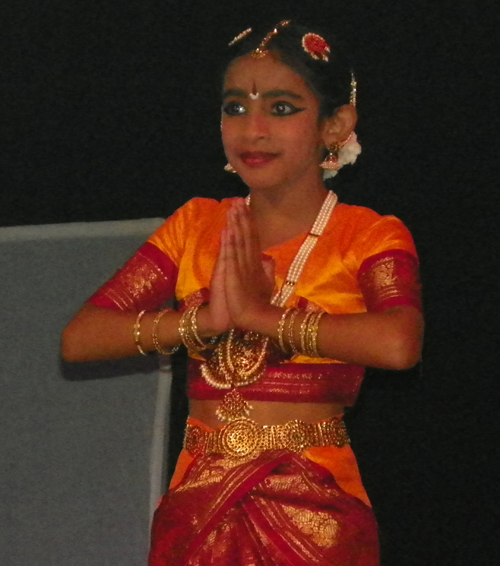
[{"x": 330, "y": 81}]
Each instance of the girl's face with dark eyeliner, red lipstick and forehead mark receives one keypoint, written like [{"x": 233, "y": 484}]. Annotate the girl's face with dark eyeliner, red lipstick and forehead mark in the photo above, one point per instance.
[{"x": 270, "y": 127}]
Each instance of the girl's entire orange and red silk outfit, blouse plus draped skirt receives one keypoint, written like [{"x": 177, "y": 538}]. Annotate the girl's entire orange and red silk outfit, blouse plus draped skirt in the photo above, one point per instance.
[{"x": 280, "y": 508}]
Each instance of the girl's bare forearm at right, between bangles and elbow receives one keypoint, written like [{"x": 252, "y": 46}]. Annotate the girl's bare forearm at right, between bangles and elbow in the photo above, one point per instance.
[{"x": 391, "y": 339}]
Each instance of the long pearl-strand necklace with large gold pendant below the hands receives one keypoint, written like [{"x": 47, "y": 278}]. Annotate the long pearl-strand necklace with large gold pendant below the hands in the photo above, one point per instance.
[{"x": 240, "y": 357}]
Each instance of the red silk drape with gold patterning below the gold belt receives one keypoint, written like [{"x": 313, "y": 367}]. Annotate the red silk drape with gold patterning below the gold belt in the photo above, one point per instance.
[{"x": 277, "y": 509}]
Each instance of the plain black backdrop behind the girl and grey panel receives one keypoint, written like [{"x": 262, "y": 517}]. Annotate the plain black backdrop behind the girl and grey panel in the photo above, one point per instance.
[{"x": 110, "y": 110}]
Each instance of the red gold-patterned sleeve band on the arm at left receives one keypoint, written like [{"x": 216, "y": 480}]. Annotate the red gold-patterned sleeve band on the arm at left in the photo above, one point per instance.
[{"x": 145, "y": 282}]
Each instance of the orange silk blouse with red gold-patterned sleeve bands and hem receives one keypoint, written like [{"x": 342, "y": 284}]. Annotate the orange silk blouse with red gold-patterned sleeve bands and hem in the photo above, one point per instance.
[{"x": 362, "y": 262}]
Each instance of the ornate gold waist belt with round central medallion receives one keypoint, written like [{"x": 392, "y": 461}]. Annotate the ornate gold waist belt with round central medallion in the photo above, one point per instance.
[{"x": 245, "y": 437}]
